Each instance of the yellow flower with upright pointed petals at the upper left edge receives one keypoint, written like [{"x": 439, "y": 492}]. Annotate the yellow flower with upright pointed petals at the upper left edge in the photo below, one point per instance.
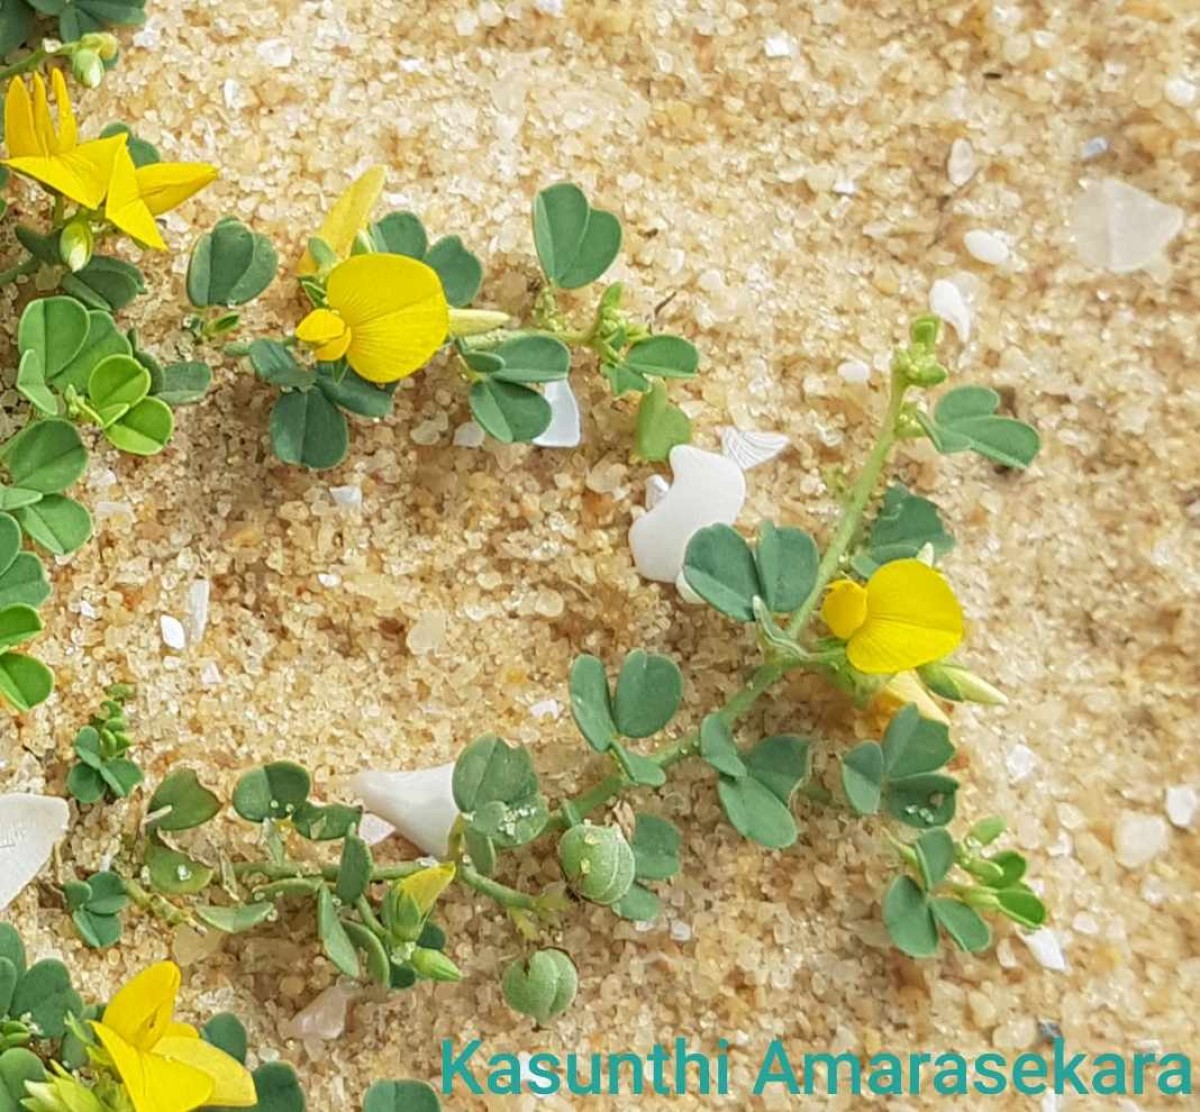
[{"x": 53, "y": 155}]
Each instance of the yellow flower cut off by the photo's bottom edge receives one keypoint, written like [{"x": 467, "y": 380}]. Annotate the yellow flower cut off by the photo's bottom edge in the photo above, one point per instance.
[{"x": 165, "y": 1066}]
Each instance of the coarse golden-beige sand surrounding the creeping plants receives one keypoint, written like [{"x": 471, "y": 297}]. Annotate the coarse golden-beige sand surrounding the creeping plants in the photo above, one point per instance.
[{"x": 782, "y": 170}]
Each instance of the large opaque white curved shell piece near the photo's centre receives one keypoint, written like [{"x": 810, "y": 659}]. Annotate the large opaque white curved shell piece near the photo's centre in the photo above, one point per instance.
[{"x": 709, "y": 490}]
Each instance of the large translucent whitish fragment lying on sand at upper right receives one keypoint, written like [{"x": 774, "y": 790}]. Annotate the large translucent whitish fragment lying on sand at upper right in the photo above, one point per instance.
[{"x": 1121, "y": 229}]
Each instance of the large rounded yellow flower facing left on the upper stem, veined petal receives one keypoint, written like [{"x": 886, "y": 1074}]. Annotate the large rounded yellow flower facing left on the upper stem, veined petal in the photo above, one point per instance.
[{"x": 387, "y": 315}]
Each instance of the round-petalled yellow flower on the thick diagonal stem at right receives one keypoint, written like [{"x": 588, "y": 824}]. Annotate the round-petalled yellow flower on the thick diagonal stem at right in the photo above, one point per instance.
[{"x": 905, "y": 617}]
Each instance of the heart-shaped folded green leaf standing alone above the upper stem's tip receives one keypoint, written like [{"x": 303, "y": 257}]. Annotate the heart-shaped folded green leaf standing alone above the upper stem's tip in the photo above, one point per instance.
[{"x": 577, "y": 244}]
